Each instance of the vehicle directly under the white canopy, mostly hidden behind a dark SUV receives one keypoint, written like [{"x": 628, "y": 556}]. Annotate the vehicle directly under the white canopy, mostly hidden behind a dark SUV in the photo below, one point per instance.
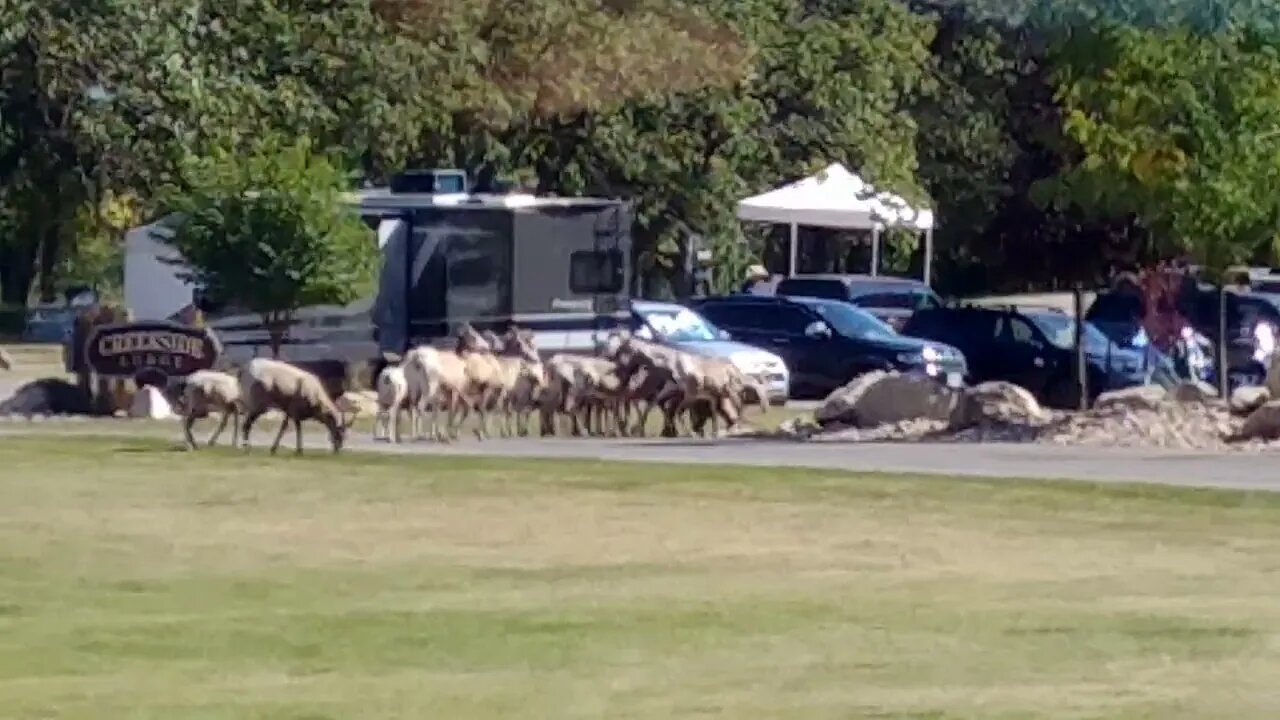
[{"x": 890, "y": 299}]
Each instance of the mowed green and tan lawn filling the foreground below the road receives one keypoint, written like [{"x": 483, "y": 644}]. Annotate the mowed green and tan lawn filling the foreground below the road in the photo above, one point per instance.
[{"x": 144, "y": 584}]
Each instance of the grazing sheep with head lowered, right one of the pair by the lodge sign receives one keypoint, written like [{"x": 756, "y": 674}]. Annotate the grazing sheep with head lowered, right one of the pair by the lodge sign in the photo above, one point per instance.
[{"x": 267, "y": 385}]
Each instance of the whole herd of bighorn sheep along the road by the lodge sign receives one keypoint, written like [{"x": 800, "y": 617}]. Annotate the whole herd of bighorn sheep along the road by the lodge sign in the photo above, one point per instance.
[{"x": 611, "y": 393}]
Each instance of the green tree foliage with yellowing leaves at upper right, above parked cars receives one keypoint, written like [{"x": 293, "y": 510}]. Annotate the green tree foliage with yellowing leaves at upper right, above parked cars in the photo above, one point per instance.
[{"x": 1178, "y": 129}]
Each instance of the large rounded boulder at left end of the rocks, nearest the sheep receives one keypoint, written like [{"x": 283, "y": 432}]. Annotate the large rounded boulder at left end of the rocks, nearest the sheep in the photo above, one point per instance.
[{"x": 880, "y": 399}]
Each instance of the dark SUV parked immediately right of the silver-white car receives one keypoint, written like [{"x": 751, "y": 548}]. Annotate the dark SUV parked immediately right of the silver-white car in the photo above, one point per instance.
[{"x": 829, "y": 343}]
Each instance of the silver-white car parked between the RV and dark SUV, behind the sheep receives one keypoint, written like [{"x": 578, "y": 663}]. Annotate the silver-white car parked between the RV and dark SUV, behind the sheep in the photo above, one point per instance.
[{"x": 684, "y": 329}]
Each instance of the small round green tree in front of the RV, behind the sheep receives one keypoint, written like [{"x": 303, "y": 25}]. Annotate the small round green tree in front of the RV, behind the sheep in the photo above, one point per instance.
[{"x": 272, "y": 233}]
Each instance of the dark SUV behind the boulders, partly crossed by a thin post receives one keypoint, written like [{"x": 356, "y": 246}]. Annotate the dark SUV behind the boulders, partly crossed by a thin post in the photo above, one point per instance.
[{"x": 1032, "y": 349}]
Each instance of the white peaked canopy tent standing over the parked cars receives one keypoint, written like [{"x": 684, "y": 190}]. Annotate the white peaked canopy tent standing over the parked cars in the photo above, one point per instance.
[{"x": 836, "y": 198}]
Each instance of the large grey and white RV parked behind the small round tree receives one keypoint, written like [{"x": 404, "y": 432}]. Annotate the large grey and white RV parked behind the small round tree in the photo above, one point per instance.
[{"x": 555, "y": 266}]
